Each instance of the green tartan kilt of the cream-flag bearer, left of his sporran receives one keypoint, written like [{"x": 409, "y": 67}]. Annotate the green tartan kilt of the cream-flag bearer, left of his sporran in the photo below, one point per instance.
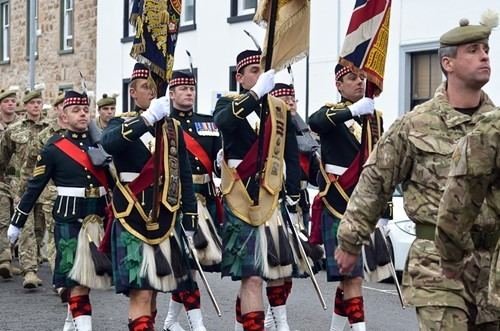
[{"x": 239, "y": 254}]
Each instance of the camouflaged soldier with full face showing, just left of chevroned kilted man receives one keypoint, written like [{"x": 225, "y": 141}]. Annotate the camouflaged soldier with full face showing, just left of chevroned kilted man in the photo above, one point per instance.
[{"x": 13, "y": 149}]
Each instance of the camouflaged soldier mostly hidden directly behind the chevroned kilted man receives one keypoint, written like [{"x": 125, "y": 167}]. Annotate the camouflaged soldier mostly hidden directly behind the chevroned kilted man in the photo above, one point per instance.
[{"x": 49, "y": 194}]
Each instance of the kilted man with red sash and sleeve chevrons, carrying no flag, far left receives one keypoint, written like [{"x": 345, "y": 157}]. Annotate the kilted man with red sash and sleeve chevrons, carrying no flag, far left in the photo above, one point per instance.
[{"x": 78, "y": 210}]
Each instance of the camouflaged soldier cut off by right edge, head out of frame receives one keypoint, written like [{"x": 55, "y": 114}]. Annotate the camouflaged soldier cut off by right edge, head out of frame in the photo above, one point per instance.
[{"x": 472, "y": 197}]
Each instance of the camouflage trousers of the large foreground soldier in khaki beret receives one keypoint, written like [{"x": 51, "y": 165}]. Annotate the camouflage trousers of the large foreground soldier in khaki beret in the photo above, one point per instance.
[{"x": 425, "y": 286}]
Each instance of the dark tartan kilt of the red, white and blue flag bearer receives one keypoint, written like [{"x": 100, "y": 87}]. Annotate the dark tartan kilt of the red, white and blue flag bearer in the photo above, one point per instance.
[{"x": 329, "y": 228}]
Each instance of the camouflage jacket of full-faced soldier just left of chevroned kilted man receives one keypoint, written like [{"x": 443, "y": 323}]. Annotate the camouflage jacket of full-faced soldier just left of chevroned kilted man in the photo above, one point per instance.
[{"x": 14, "y": 145}]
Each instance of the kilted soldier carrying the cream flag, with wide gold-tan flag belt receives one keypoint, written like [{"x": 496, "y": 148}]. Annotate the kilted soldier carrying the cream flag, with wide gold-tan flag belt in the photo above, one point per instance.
[{"x": 256, "y": 247}]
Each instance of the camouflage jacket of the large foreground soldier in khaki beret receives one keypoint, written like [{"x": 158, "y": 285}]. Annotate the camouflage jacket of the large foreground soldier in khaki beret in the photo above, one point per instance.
[{"x": 415, "y": 151}]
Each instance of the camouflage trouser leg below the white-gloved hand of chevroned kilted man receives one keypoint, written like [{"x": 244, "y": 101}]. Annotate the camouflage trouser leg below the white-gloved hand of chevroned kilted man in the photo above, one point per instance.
[{"x": 31, "y": 239}]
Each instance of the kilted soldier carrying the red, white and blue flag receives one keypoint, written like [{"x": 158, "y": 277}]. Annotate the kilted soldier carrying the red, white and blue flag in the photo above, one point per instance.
[{"x": 339, "y": 128}]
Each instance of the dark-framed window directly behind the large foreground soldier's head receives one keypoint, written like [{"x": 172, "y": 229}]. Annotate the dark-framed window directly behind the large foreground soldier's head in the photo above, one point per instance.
[{"x": 425, "y": 76}]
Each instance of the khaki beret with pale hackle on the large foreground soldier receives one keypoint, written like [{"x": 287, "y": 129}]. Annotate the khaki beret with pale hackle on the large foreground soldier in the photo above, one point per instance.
[{"x": 466, "y": 33}]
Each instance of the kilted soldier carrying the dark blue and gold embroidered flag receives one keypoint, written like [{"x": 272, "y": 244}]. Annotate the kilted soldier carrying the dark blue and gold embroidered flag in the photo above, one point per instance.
[{"x": 148, "y": 252}]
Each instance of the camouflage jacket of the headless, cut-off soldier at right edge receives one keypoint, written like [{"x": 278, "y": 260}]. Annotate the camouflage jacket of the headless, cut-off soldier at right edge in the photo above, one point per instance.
[{"x": 473, "y": 178}]
